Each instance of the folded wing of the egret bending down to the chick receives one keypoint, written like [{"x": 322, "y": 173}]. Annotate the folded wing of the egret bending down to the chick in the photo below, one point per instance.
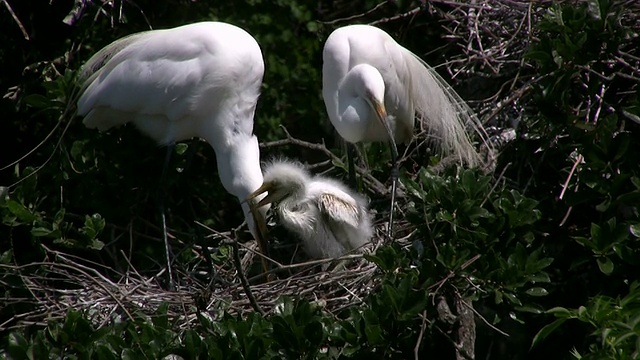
[{"x": 147, "y": 74}]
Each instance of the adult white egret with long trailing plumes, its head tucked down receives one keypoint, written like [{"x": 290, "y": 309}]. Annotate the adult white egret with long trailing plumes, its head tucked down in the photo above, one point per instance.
[{"x": 373, "y": 89}]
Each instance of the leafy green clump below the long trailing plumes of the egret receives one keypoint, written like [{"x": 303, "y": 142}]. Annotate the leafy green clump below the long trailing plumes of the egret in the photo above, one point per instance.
[{"x": 471, "y": 228}]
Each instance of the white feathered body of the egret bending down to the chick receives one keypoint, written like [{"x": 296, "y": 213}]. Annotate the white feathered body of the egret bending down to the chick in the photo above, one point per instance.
[{"x": 171, "y": 72}]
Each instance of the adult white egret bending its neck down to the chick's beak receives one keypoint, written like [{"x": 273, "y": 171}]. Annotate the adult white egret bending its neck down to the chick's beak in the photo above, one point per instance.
[{"x": 198, "y": 80}]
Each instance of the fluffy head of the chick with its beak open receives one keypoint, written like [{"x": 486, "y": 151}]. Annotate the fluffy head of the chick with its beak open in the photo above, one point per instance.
[{"x": 282, "y": 179}]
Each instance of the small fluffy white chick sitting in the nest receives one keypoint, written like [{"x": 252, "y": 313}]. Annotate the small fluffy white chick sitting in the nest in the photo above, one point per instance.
[{"x": 328, "y": 217}]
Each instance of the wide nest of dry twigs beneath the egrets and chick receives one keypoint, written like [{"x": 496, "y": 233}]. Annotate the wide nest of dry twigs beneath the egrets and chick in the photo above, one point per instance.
[{"x": 64, "y": 281}]
